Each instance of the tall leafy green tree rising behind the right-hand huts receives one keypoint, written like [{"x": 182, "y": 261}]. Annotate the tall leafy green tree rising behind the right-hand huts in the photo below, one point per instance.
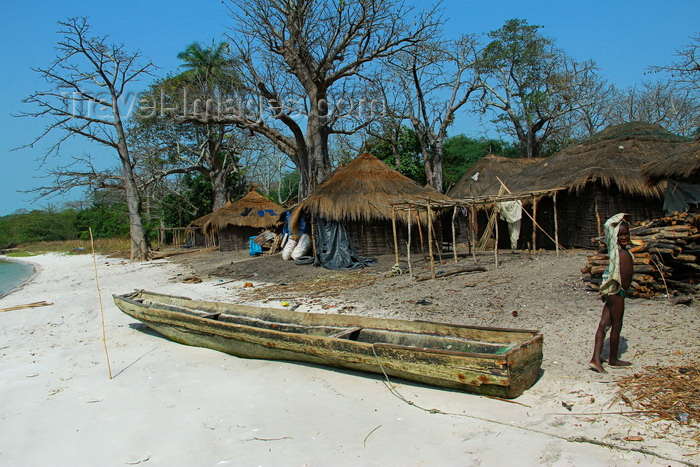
[{"x": 532, "y": 87}]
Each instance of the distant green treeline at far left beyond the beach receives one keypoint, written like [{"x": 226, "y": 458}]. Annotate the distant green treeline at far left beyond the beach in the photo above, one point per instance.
[{"x": 106, "y": 221}]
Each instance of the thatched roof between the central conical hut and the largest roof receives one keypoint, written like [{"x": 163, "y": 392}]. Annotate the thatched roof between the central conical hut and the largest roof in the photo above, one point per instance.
[{"x": 489, "y": 169}]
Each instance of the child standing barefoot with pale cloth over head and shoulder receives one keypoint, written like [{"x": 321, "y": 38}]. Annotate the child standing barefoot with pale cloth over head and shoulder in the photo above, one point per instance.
[{"x": 616, "y": 280}]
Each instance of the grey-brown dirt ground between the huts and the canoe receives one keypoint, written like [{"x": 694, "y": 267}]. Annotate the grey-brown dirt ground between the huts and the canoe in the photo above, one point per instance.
[{"x": 525, "y": 291}]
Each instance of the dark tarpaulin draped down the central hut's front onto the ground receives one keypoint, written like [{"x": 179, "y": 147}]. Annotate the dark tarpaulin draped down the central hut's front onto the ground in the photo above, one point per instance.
[{"x": 335, "y": 249}]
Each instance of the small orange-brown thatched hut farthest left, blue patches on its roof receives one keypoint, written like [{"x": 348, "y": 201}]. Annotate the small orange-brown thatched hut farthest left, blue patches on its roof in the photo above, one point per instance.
[{"x": 237, "y": 221}]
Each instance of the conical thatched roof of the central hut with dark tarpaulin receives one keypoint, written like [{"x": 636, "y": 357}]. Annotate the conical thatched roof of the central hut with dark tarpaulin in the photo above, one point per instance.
[{"x": 362, "y": 191}]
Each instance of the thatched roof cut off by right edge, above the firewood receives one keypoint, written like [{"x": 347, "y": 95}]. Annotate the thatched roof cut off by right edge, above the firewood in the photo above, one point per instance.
[{"x": 683, "y": 163}]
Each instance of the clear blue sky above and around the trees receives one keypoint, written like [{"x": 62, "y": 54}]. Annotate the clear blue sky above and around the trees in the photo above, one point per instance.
[{"x": 623, "y": 37}]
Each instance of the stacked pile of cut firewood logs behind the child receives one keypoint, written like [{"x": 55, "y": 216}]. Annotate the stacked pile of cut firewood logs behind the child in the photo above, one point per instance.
[{"x": 666, "y": 253}]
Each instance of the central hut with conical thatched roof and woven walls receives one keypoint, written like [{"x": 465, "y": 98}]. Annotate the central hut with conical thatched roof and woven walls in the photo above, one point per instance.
[{"x": 360, "y": 195}]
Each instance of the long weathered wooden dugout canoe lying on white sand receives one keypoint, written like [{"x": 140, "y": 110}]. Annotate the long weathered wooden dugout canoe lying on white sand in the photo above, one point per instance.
[{"x": 490, "y": 361}]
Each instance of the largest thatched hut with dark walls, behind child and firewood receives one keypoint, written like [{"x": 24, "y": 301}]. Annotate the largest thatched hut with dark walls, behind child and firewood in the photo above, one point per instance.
[{"x": 603, "y": 176}]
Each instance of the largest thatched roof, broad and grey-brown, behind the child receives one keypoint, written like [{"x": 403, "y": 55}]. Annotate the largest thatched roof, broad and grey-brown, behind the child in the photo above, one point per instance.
[{"x": 612, "y": 156}]
